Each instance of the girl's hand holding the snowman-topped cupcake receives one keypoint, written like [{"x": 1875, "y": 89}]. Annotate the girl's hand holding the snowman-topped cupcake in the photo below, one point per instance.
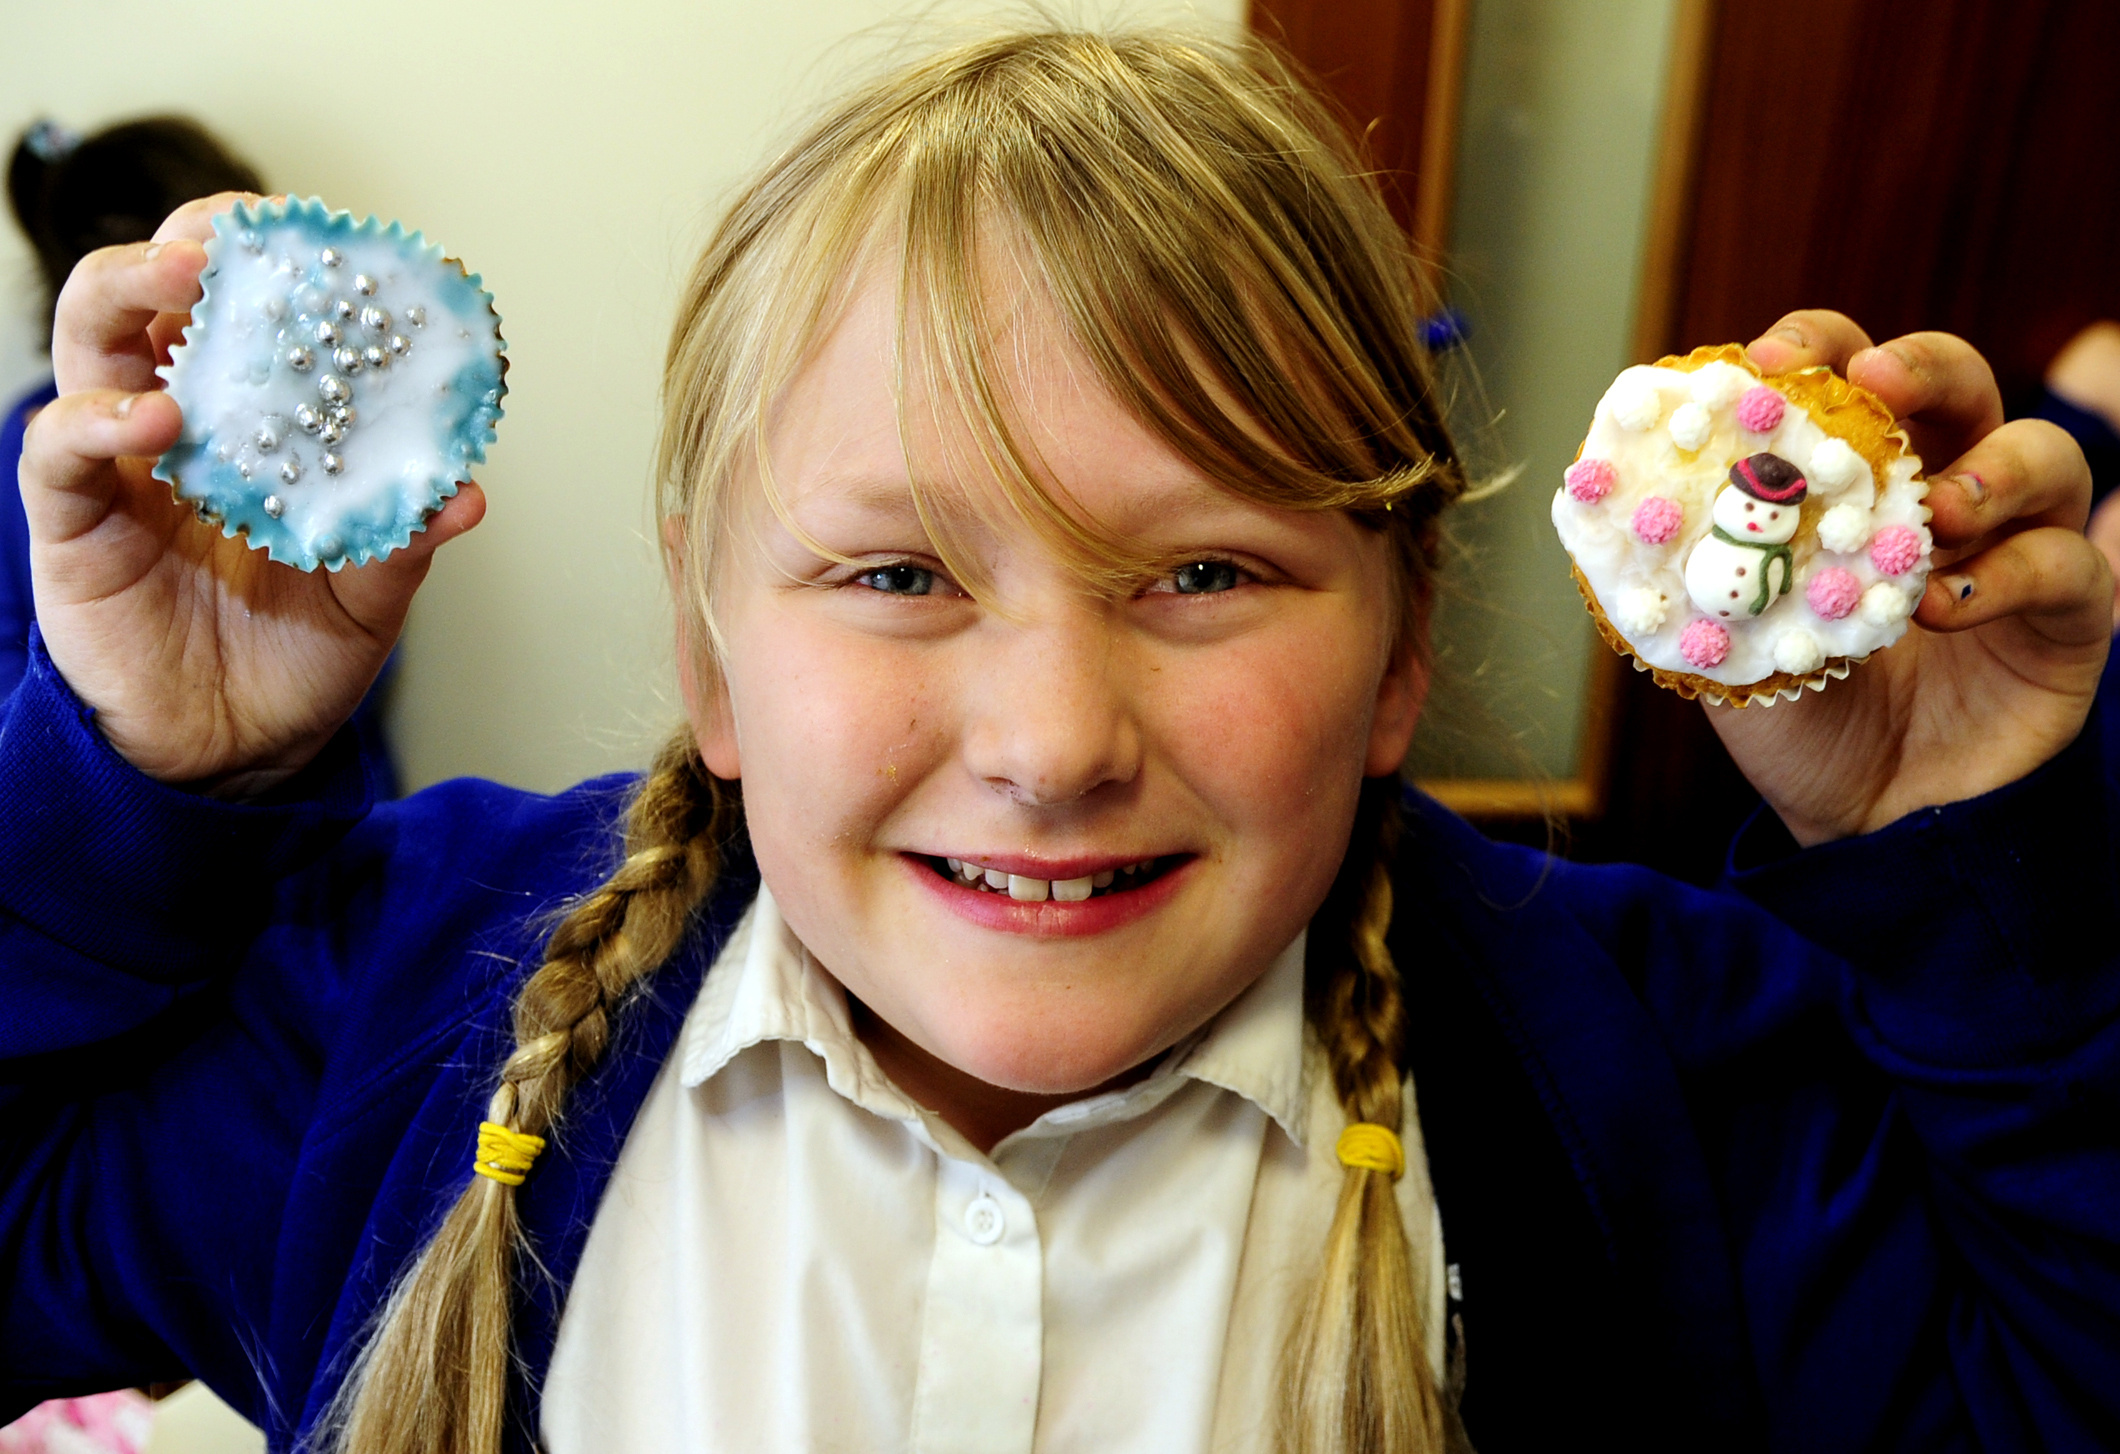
[{"x": 2004, "y": 656}]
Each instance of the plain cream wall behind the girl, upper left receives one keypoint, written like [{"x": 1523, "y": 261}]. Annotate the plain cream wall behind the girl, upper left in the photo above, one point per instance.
[{"x": 571, "y": 154}]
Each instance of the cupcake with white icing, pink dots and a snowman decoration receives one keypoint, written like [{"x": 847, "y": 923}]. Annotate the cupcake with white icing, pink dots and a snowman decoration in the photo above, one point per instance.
[{"x": 1746, "y": 537}]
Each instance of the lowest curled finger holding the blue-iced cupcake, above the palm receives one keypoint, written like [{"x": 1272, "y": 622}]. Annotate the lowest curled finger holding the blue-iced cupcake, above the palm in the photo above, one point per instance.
[{"x": 67, "y": 478}]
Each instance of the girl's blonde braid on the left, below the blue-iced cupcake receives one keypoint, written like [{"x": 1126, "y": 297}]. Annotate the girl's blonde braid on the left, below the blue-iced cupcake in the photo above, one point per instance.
[{"x": 434, "y": 1379}]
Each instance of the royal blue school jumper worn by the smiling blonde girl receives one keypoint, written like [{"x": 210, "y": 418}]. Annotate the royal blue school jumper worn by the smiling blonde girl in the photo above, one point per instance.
[{"x": 1824, "y": 1160}]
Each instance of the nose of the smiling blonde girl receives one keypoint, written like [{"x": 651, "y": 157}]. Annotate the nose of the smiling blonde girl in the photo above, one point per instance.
[{"x": 1050, "y": 711}]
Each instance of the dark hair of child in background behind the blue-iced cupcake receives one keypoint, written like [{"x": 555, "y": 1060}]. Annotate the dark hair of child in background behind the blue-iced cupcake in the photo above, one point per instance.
[{"x": 111, "y": 188}]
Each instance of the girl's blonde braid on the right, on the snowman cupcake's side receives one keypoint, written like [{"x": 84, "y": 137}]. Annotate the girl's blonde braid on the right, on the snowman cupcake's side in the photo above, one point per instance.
[{"x": 1356, "y": 1379}]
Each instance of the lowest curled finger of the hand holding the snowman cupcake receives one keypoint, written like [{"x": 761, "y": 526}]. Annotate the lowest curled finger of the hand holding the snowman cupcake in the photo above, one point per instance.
[{"x": 2051, "y": 578}]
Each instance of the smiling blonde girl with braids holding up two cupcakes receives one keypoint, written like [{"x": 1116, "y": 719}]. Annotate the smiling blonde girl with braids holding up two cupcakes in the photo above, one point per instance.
[{"x": 997, "y": 1018}]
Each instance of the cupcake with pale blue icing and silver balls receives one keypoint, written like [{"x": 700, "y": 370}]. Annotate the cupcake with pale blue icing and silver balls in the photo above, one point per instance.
[{"x": 338, "y": 385}]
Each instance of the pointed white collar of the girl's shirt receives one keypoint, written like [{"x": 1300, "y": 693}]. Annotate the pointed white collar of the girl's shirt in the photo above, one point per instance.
[{"x": 766, "y": 987}]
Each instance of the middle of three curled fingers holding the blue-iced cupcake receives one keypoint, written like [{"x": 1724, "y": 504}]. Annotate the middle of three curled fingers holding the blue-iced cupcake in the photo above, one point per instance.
[{"x": 101, "y": 332}]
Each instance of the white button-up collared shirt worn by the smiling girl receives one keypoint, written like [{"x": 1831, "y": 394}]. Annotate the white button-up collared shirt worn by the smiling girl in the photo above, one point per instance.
[{"x": 794, "y": 1256}]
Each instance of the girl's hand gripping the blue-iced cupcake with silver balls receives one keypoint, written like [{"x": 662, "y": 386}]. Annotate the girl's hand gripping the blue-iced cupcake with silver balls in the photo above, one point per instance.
[{"x": 207, "y": 664}]
